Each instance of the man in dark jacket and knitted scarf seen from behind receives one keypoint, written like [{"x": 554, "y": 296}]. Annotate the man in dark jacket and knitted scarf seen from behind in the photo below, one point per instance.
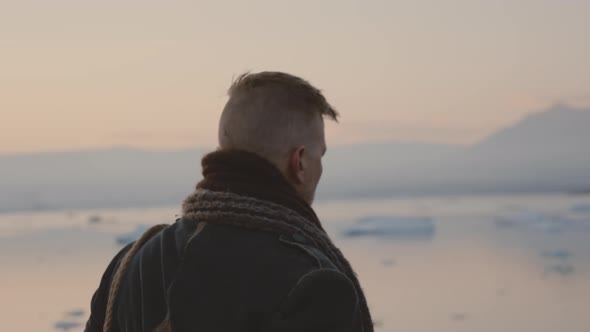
[{"x": 249, "y": 253}]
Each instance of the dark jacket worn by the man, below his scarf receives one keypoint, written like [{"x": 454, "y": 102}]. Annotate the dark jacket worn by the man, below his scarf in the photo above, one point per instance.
[{"x": 225, "y": 278}]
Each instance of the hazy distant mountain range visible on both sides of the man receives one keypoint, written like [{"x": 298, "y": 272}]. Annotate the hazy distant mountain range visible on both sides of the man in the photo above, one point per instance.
[{"x": 547, "y": 151}]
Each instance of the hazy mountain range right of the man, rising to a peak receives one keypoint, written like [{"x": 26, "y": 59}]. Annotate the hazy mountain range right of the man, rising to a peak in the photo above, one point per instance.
[{"x": 545, "y": 152}]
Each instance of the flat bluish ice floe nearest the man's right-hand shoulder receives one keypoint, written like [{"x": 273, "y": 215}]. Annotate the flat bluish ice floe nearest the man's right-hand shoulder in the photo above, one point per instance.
[{"x": 392, "y": 227}]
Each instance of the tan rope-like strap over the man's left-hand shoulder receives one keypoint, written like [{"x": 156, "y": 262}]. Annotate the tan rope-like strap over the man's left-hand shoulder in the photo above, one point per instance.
[{"x": 123, "y": 265}]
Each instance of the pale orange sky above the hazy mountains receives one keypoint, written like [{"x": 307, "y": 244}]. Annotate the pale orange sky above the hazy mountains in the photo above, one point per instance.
[{"x": 153, "y": 74}]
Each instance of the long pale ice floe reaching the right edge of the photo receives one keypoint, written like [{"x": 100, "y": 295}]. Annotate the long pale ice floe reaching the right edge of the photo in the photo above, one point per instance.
[{"x": 541, "y": 222}]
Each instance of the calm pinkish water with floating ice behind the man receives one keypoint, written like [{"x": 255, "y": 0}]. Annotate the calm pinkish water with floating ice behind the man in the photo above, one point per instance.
[{"x": 494, "y": 263}]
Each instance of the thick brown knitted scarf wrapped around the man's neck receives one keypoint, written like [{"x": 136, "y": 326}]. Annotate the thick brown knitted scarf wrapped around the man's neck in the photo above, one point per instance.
[{"x": 247, "y": 191}]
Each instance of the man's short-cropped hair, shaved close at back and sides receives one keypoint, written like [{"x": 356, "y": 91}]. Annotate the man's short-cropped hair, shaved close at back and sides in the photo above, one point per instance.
[{"x": 269, "y": 113}]
